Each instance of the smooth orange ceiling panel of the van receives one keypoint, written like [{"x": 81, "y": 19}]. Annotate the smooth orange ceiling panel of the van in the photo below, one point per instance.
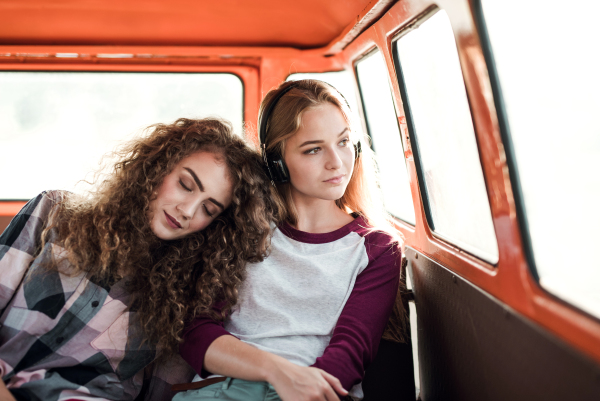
[{"x": 301, "y": 24}]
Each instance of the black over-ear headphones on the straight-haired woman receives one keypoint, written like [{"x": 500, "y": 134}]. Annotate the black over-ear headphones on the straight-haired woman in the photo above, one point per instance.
[{"x": 274, "y": 163}]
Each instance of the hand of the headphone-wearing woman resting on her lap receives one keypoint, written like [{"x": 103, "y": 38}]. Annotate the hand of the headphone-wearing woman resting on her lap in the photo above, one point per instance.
[{"x": 299, "y": 383}]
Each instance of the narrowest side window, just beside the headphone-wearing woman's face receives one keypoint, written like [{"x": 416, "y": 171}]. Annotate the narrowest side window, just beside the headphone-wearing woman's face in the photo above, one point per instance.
[{"x": 385, "y": 134}]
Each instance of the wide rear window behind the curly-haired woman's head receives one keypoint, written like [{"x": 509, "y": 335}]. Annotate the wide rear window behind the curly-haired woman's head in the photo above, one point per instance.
[{"x": 57, "y": 125}]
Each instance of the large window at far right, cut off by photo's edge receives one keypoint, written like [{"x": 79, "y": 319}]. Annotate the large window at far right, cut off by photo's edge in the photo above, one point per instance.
[{"x": 548, "y": 65}]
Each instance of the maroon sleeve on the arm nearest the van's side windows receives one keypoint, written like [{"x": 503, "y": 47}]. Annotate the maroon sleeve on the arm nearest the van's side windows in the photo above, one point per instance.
[{"x": 359, "y": 329}]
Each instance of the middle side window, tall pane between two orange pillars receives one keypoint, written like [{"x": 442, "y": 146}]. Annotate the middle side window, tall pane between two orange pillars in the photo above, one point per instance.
[{"x": 447, "y": 148}]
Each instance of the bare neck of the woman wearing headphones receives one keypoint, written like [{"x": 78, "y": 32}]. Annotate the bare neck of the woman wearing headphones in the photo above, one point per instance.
[{"x": 318, "y": 215}]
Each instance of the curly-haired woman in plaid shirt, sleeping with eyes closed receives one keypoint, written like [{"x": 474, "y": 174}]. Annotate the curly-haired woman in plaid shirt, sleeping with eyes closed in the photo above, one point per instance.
[{"x": 94, "y": 289}]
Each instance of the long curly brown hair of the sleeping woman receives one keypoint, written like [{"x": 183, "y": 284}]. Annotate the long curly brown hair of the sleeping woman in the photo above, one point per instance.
[{"x": 108, "y": 235}]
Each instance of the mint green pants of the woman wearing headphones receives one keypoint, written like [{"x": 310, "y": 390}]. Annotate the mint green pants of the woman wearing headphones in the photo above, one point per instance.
[{"x": 231, "y": 390}]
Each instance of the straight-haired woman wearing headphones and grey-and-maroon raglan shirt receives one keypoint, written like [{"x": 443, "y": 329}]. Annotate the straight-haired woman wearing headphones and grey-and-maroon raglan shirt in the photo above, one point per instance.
[{"x": 310, "y": 316}]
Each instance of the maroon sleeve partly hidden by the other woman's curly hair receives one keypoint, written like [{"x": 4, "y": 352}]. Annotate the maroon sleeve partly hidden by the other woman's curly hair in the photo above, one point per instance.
[{"x": 197, "y": 337}]
